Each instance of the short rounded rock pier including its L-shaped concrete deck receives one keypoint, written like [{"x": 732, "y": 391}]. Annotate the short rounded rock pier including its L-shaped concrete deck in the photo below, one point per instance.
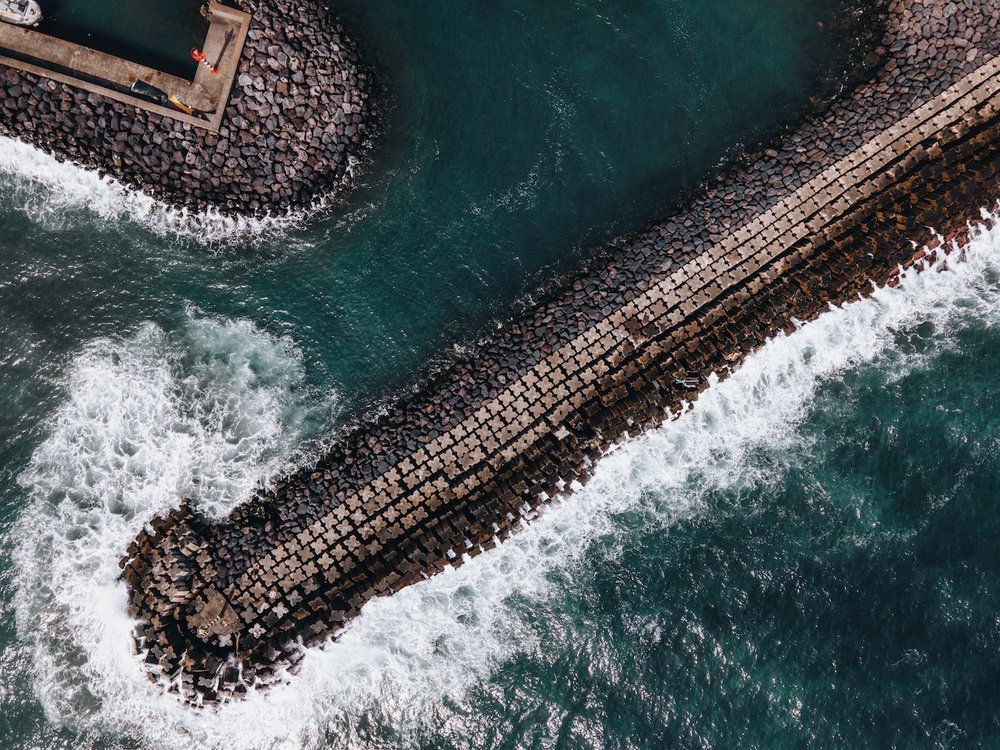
[{"x": 288, "y": 116}]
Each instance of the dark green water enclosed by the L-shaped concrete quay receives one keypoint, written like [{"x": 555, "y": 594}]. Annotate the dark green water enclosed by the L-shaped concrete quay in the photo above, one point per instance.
[{"x": 158, "y": 34}]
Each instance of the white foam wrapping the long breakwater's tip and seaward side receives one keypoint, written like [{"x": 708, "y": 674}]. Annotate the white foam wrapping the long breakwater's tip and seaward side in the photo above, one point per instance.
[{"x": 131, "y": 437}]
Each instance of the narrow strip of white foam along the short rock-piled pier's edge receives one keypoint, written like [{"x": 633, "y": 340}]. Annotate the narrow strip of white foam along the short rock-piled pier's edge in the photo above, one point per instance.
[{"x": 56, "y": 193}]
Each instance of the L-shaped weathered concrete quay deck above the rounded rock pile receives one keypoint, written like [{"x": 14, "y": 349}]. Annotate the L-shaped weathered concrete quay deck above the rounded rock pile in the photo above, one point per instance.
[{"x": 98, "y": 73}]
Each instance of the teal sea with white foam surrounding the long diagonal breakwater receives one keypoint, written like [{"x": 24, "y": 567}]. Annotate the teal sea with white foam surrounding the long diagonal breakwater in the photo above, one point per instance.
[{"x": 805, "y": 558}]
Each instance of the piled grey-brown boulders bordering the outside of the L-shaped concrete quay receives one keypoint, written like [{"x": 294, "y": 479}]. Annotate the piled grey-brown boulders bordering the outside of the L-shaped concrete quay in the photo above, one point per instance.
[{"x": 299, "y": 112}]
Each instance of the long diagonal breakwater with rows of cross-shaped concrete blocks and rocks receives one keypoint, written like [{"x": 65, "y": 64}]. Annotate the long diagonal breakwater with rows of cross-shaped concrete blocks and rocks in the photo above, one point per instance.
[{"x": 456, "y": 466}]
